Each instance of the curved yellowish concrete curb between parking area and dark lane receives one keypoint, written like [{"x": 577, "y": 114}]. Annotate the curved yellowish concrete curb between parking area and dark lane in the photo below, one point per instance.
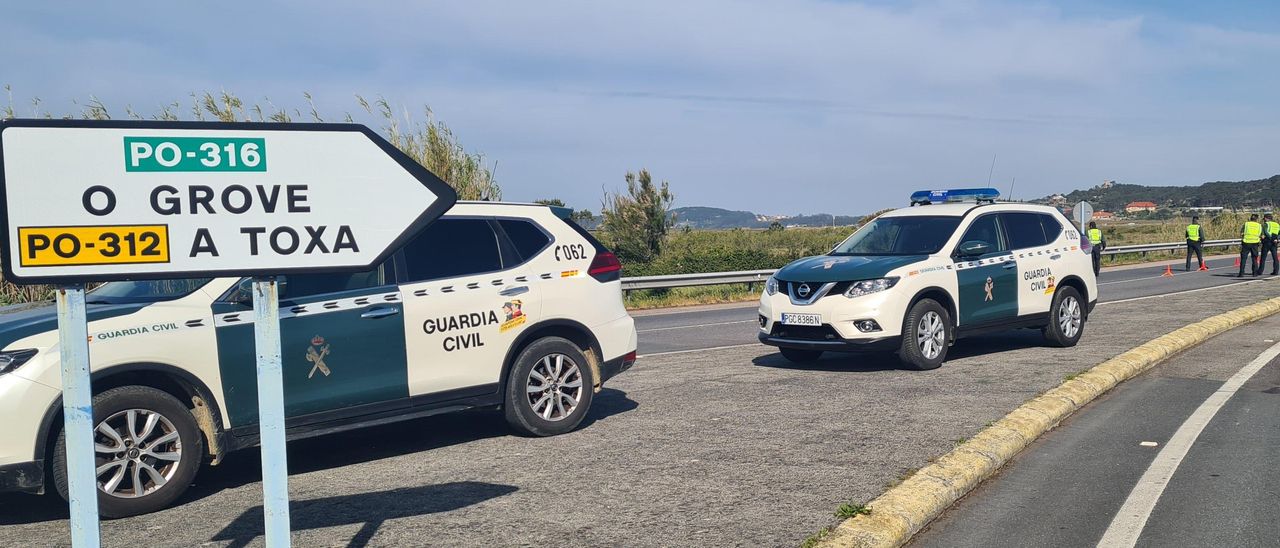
[{"x": 907, "y": 509}]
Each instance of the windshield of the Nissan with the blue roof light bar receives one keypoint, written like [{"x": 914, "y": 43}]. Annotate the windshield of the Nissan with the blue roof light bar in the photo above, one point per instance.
[{"x": 917, "y": 235}]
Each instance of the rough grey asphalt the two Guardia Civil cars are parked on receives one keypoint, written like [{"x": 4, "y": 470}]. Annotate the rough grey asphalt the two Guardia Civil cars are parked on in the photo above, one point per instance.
[{"x": 732, "y": 446}]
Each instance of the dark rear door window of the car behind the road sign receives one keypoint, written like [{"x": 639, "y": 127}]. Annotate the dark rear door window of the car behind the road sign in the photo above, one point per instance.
[{"x": 452, "y": 248}]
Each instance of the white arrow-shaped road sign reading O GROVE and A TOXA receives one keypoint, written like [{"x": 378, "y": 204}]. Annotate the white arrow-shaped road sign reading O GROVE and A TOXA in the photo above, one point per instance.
[{"x": 94, "y": 200}]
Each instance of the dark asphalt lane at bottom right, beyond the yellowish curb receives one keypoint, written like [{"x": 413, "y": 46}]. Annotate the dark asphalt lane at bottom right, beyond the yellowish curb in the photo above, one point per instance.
[{"x": 1071, "y": 486}]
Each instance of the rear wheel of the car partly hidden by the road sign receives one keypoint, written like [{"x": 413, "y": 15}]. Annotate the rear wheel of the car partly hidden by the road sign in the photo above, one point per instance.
[{"x": 550, "y": 389}]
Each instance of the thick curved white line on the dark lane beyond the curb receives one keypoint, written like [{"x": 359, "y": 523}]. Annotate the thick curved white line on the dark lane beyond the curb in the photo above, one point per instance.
[{"x": 1132, "y": 519}]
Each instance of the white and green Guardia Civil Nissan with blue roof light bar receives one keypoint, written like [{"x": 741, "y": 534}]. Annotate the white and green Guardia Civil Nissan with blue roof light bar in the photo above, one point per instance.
[{"x": 956, "y": 263}]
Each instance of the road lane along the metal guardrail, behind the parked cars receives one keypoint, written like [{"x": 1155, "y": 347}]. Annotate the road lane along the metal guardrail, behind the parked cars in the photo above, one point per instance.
[{"x": 675, "y": 331}]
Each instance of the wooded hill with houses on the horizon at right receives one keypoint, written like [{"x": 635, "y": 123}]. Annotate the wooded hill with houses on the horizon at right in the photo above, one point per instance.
[{"x": 1116, "y": 197}]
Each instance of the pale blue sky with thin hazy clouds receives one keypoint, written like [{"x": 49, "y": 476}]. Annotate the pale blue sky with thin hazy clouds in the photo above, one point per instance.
[{"x": 770, "y": 107}]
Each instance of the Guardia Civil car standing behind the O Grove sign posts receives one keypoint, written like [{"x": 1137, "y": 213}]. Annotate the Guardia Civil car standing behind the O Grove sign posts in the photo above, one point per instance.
[{"x": 493, "y": 305}]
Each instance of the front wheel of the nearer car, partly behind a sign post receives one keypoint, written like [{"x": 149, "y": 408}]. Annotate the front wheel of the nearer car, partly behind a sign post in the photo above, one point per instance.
[{"x": 157, "y": 418}]
